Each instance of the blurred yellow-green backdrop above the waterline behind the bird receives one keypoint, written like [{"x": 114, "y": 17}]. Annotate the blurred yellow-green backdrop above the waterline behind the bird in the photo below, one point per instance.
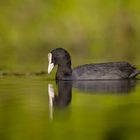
[{"x": 91, "y": 30}]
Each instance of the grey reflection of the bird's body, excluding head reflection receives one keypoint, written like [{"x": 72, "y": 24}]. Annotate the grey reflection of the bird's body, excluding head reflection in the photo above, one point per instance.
[{"x": 105, "y": 86}]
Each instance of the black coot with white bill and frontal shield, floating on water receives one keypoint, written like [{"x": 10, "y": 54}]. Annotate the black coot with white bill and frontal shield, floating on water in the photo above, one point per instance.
[{"x": 110, "y": 70}]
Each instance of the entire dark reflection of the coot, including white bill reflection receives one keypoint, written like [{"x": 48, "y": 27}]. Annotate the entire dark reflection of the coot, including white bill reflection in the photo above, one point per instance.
[{"x": 62, "y": 98}]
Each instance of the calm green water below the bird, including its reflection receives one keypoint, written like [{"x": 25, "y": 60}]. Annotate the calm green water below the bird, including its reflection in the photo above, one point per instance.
[{"x": 39, "y": 109}]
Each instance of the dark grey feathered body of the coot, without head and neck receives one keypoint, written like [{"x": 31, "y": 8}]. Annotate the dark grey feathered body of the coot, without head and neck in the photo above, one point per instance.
[{"x": 111, "y": 70}]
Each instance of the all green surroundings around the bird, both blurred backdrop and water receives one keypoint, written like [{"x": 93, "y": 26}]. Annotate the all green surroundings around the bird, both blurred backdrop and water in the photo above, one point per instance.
[{"x": 92, "y": 31}]
